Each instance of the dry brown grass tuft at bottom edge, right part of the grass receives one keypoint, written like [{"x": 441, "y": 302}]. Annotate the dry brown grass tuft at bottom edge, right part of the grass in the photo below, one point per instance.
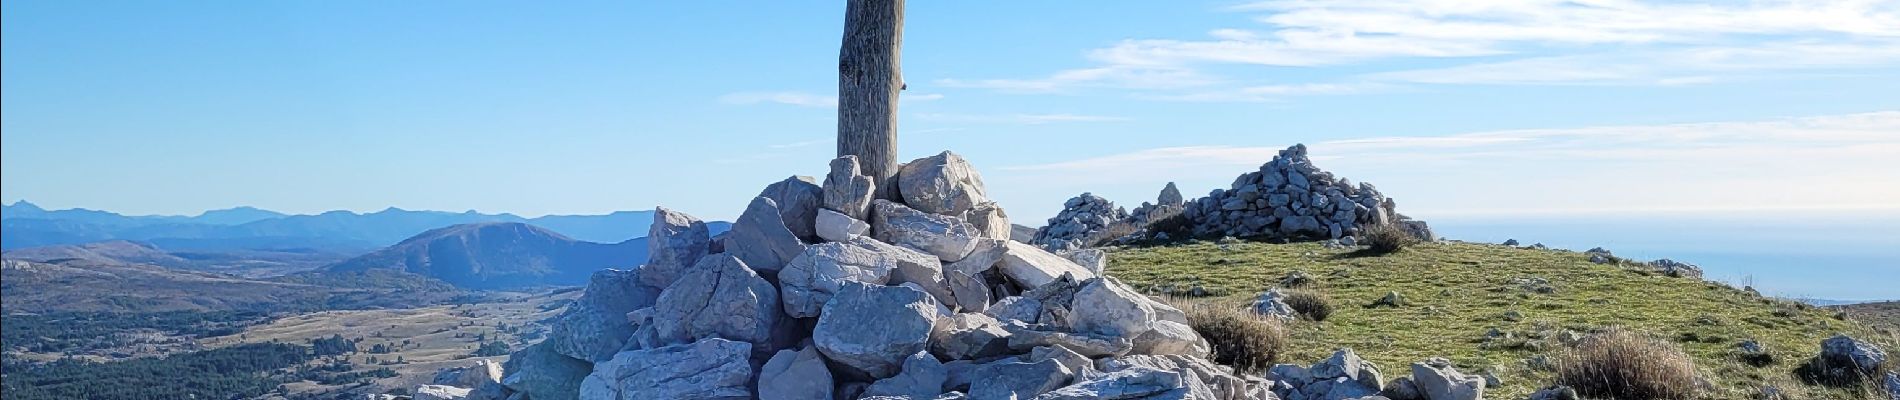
[{"x": 1625, "y": 365}]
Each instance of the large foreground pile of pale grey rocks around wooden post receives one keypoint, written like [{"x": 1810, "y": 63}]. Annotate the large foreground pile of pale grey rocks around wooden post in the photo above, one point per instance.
[{"x": 822, "y": 291}]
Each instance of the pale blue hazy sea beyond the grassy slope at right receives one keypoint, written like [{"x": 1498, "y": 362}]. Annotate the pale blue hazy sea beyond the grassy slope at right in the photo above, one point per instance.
[{"x": 1808, "y": 255}]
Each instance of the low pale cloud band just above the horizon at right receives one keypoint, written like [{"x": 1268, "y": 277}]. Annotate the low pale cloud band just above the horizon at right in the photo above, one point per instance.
[{"x": 1825, "y": 162}]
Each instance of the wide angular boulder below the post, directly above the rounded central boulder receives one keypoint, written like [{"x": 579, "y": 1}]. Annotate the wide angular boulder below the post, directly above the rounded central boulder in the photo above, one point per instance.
[{"x": 822, "y": 270}]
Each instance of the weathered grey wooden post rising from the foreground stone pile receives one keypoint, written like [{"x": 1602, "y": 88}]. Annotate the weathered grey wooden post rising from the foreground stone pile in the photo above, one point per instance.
[{"x": 869, "y": 81}]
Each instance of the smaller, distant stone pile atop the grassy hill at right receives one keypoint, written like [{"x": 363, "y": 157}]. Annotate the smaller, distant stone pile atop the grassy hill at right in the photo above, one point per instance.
[{"x": 1289, "y": 198}]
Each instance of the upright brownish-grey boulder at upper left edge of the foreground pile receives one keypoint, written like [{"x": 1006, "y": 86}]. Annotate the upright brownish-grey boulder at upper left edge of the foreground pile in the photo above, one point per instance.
[{"x": 674, "y": 244}]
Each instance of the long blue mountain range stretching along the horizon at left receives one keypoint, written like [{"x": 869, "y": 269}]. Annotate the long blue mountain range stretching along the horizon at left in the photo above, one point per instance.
[{"x": 28, "y": 225}]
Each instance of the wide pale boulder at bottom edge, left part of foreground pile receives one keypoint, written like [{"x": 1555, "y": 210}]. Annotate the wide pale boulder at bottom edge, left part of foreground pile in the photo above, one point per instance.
[{"x": 708, "y": 369}]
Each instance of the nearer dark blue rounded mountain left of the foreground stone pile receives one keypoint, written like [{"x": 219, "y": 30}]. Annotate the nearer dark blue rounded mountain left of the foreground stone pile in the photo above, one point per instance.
[{"x": 503, "y": 255}]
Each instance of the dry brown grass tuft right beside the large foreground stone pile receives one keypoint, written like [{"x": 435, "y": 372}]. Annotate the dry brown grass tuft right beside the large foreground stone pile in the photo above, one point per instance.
[{"x": 1238, "y": 336}]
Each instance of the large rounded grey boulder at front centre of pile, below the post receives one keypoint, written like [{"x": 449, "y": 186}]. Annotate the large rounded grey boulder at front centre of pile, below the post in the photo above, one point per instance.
[{"x": 873, "y": 329}]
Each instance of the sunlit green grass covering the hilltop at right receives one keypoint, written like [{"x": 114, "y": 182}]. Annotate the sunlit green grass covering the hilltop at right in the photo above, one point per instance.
[{"x": 1456, "y": 293}]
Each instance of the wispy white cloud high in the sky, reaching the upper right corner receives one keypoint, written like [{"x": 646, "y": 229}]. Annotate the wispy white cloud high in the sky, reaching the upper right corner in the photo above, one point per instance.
[{"x": 1542, "y": 43}]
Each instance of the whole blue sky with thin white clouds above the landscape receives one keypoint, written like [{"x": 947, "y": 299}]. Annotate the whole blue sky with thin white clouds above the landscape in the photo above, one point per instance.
[{"x": 1458, "y": 109}]
